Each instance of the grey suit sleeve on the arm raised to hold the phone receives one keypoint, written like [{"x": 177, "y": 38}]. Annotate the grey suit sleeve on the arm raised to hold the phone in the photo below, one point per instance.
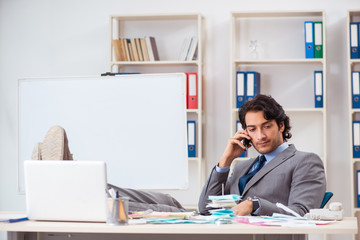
[{"x": 213, "y": 186}]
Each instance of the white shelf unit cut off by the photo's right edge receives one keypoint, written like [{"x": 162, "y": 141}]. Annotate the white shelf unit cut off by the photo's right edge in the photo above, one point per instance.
[{"x": 354, "y": 114}]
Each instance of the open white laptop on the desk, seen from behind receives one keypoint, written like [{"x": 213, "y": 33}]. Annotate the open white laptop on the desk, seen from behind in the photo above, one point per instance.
[{"x": 65, "y": 190}]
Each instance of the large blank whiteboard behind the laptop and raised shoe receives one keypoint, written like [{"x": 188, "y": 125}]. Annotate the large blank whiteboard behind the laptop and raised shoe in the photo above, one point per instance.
[{"x": 135, "y": 123}]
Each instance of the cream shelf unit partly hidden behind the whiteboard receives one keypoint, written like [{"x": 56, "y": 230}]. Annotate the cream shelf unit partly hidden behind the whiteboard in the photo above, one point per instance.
[{"x": 169, "y": 32}]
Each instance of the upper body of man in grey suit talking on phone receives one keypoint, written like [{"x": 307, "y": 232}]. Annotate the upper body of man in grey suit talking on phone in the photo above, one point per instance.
[{"x": 293, "y": 178}]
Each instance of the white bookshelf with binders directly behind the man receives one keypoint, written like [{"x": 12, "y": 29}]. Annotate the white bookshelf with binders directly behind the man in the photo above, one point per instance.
[{"x": 285, "y": 72}]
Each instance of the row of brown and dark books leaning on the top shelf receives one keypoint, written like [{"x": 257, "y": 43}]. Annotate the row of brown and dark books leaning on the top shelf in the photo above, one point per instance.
[{"x": 135, "y": 49}]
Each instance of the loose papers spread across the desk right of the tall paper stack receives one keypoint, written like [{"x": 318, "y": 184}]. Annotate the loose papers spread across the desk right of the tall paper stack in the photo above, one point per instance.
[{"x": 280, "y": 220}]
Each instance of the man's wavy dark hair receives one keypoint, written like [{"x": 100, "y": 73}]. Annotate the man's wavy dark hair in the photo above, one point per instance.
[{"x": 272, "y": 111}]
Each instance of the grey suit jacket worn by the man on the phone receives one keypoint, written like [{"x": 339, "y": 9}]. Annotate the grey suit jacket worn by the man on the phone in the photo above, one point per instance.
[{"x": 293, "y": 178}]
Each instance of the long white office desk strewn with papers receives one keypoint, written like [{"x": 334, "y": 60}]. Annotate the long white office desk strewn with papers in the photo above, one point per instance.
[{"x": 174, "y": 231}]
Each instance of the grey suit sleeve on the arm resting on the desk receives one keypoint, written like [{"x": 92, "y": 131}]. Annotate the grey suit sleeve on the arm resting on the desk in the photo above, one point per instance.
[{"x": 308, "y": 187}]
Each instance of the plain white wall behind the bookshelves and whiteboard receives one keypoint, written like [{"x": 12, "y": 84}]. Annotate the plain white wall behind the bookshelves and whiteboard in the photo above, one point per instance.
[{"x": 71, "y": 38}]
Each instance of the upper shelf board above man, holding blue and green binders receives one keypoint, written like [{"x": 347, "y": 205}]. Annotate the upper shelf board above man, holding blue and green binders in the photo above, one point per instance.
[{"x": 279, "y": 61}]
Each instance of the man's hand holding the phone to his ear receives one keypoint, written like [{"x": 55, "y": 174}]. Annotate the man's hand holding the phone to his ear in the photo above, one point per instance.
[{"x": 234, "y": 148}]
